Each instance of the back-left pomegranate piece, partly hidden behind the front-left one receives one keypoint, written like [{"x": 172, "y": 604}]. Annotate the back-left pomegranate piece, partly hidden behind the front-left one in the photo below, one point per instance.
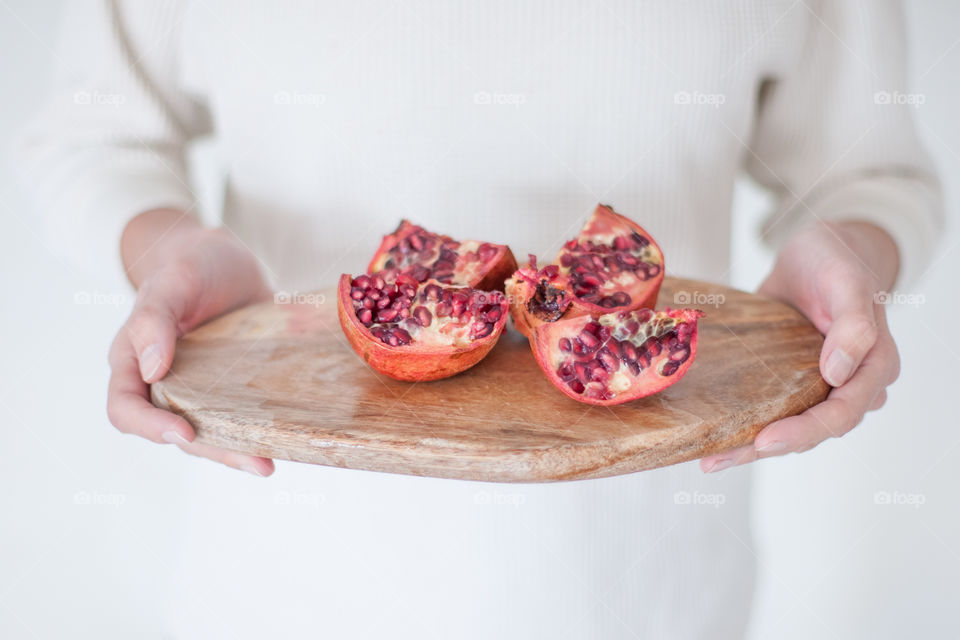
[{"x": 412, "y": 250}]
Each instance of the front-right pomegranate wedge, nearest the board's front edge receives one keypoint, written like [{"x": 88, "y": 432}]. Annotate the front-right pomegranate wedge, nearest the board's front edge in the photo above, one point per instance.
[{"x": 617, "y": 357}]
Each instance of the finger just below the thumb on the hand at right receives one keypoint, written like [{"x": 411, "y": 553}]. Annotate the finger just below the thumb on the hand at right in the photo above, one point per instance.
[{"x": 837, "y": 415}]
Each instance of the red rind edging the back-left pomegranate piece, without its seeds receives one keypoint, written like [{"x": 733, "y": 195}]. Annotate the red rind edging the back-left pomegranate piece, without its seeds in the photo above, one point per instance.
[{"x": 489, "y": 276}]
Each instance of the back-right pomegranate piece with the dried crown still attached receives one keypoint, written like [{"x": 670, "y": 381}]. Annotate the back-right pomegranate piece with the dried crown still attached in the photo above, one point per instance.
[{"x": 613, "y": 264}]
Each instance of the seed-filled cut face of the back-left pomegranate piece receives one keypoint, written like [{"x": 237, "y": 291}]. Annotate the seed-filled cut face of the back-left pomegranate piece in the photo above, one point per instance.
[{"x": 423, "y": 255}]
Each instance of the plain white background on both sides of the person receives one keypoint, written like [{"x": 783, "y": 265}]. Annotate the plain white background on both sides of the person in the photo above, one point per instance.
[{"x": 83, "y": 510}]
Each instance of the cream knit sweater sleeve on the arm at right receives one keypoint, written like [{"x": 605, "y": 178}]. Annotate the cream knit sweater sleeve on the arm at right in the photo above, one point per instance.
[{"x": 835, "y": 138}]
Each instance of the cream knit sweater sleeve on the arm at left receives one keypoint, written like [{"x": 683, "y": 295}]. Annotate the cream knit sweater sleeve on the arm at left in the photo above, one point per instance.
[{"x": 111, "y": 142}]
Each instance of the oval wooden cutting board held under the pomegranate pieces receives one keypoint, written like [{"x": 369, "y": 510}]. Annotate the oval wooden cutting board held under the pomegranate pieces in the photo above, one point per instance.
[{"x": 280, "y": 380}]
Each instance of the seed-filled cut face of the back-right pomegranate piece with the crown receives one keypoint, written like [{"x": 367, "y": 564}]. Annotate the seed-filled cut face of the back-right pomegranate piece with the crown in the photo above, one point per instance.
[{"x": 603, "y": 269}]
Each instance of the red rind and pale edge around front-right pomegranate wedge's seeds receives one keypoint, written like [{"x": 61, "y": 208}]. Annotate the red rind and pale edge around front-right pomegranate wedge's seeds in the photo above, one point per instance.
[{"x": 545, "y": 344}]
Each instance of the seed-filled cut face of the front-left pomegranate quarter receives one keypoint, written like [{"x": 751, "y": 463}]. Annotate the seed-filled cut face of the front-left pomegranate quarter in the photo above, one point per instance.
[{"x": 428, "y": 315}]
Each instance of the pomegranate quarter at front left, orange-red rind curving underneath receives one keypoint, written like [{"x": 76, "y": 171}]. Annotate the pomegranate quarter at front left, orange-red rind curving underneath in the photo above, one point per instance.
[{"x": 424, "y": 331}]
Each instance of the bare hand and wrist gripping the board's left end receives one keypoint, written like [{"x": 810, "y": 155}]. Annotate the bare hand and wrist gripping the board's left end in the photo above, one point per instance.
[{"x": 185, "y": 275}]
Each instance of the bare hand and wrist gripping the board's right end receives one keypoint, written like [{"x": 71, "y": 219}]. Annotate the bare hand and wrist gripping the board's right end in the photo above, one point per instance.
[{"x": 831, "y": 273}]
